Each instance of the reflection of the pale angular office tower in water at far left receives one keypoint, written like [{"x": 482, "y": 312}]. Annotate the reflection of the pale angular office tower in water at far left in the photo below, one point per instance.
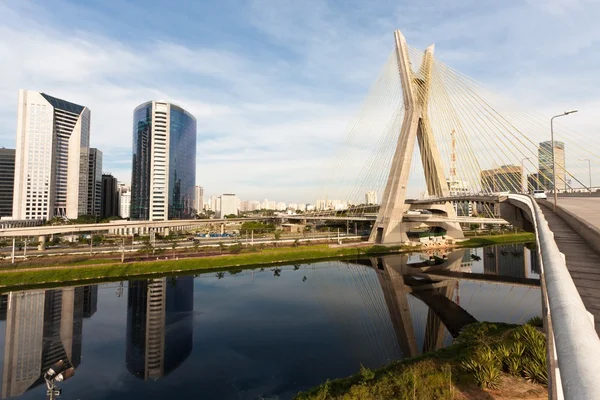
[{"x": 42, "y": 327}]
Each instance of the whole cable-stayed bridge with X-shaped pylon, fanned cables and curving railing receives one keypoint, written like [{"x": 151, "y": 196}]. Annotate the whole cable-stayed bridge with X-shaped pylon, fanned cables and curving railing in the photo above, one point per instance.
[{"x": 430, "y": 133}]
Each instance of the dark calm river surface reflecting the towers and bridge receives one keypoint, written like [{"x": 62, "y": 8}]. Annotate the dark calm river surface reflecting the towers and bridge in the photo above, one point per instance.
[{"x": 255, "y": 334}]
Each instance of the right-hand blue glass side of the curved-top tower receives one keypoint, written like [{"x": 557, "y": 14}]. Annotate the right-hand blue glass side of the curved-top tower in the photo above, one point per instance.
[{"x": 182, "y": 164}]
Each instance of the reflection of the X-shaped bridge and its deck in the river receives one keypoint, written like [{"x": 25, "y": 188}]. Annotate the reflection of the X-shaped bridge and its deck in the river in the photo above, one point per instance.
[{"x": 419, "y": 303}]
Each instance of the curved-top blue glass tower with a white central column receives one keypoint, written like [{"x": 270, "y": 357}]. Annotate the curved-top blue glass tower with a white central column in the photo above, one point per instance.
[{"x": 164, "y": 162}]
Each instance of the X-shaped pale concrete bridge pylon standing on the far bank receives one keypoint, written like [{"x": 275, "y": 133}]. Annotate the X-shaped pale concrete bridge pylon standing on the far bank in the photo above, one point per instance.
[{"x": 389, "y": 227}]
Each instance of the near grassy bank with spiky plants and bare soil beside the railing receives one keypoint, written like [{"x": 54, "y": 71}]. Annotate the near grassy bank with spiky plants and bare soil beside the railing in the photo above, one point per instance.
[{"x": 486, "y": 360}]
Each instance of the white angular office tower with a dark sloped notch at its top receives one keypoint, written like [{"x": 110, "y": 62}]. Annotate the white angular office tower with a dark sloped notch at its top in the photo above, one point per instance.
[{"x": 51, "y": 162}]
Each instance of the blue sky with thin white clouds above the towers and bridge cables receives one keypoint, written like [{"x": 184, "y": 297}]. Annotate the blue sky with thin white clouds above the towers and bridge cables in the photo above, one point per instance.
[{"x": 273, "y": 84}]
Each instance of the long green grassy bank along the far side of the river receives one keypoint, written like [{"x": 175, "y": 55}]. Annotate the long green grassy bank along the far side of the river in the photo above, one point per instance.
[{"x": 80, "y": 269}]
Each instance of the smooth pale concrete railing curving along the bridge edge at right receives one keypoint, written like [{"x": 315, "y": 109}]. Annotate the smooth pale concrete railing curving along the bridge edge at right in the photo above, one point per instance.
[{"x": 573, "y": 344}]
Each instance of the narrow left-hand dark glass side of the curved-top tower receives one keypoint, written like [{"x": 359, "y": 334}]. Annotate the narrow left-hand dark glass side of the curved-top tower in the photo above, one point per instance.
[{"x": 140, "y": 171}]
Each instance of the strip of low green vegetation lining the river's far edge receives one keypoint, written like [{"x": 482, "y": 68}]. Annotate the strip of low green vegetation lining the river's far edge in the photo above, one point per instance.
[{"x": 150, "y": 260}]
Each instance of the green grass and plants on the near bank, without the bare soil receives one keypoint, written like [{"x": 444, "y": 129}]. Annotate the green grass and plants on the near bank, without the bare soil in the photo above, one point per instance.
[{"x": 436, "y": 375}]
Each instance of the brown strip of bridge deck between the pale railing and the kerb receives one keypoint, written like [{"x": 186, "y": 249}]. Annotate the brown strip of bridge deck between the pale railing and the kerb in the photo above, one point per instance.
[{"x": 582, "y": 261}]
